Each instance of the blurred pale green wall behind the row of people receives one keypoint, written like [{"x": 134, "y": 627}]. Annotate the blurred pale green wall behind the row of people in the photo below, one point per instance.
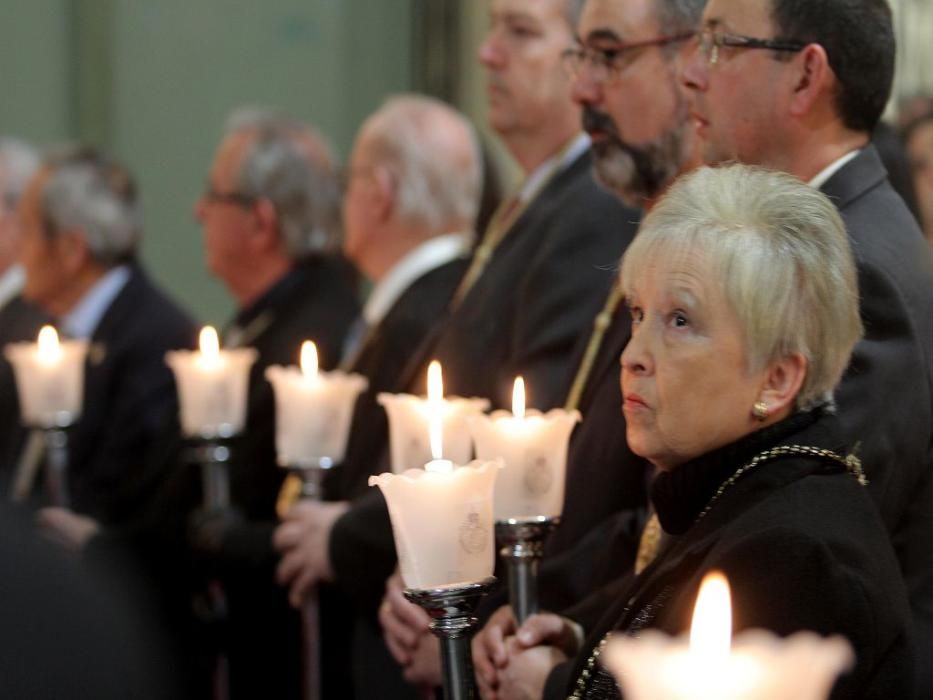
[{"x": 151, "y": 82}]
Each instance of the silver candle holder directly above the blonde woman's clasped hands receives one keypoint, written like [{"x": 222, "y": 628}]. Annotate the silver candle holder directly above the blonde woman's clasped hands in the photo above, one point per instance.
[{"x": 521, "y": 545}]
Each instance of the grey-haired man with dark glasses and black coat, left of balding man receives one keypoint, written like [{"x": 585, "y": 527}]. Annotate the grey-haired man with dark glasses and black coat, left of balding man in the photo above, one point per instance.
[{"x": 270, "y": 218}]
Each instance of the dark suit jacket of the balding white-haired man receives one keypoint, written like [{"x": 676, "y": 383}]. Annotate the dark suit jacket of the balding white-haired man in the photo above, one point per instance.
[{"x": 386, "y": 351}]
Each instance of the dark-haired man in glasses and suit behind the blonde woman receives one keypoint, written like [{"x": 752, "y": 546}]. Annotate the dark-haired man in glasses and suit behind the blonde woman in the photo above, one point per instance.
[{"x": 798, "y": 85}]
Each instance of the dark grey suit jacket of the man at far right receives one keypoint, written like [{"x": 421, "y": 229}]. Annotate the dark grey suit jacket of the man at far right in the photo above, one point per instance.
[{"x": 886, "y": 397}]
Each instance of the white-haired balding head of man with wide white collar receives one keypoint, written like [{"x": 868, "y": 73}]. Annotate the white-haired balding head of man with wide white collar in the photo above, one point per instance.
[{"x": 434, "y": 155}]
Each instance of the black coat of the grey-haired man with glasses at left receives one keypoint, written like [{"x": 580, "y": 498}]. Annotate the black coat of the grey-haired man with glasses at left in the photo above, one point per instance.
[{"x": 317, "y": 301}]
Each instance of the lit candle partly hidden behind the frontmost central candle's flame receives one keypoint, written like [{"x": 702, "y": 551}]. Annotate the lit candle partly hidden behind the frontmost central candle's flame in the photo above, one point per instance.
[{"x": 409, "y": 443}]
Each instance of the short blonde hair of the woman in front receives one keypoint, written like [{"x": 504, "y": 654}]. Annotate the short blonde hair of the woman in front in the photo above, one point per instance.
[{"x": 780, "y": 251}]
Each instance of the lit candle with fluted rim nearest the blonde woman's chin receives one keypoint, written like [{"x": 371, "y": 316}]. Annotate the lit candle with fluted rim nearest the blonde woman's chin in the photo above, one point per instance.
[{"x": 533, "y": 447}]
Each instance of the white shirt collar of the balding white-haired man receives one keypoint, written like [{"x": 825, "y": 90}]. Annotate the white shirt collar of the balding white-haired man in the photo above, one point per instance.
[{"x": 428, "y": 256}]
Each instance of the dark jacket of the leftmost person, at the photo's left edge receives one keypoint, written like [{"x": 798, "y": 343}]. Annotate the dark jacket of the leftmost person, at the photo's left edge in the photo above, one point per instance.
[{"x": 19, "y": 321}]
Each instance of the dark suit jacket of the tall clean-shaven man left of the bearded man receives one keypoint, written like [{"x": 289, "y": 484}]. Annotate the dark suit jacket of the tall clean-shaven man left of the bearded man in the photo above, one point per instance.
[{"x": 537, "y": 296}]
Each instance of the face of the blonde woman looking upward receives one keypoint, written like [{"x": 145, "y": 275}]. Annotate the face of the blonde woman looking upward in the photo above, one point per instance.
[{"x": 686, "y": 387}]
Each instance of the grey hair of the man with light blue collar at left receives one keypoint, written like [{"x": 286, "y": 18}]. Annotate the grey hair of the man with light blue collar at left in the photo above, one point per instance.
[{"x": 87, "y": 192}]
